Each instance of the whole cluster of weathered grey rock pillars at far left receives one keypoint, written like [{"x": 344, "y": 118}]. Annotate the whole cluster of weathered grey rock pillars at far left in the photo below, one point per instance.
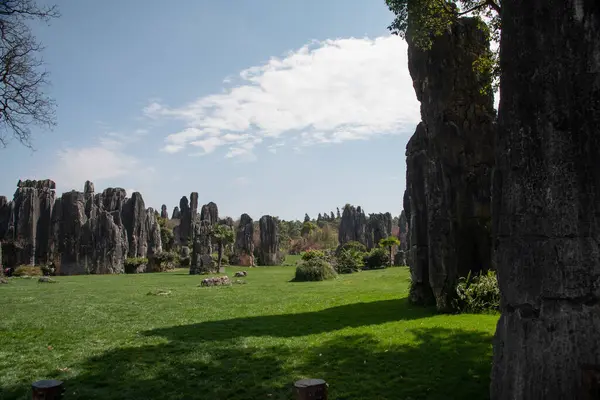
[{"x": 78, "y": 233}]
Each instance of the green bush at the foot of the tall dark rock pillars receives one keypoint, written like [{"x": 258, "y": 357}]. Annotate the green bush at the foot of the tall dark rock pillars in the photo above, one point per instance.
[{"x": 478, "y": 293}]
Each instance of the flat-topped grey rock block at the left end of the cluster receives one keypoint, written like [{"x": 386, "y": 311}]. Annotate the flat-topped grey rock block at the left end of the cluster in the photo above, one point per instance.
[{"x": 25, "y": 223}]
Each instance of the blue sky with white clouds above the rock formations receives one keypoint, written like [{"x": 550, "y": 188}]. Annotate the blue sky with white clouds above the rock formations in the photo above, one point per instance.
[{"x": 262, "y": 106}]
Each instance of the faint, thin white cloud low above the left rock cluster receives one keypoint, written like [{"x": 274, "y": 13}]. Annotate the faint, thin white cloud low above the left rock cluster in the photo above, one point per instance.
[{"x": 104, "y": 161}]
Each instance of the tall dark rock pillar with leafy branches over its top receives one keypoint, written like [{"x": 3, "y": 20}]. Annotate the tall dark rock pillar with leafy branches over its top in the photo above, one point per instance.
[{"x": 449, "y": 163}]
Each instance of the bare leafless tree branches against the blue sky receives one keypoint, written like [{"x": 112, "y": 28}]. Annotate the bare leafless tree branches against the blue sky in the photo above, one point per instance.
[{"x": 22, "y": 75}]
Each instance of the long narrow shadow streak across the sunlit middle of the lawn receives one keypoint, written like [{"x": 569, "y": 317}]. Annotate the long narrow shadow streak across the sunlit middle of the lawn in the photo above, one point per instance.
[{"x": 300, "y": 324}]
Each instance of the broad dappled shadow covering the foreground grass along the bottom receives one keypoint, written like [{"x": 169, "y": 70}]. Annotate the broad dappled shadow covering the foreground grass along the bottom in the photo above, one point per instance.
[{"x": 438, "y": 364}]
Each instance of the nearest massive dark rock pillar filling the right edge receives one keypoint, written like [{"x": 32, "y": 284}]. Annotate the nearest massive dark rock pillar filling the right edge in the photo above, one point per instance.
[{"x": 547, "y": 200}]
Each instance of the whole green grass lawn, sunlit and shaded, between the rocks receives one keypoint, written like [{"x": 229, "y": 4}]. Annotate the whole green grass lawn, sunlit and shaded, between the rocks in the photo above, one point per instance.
[{"x": 106, "y": 338}]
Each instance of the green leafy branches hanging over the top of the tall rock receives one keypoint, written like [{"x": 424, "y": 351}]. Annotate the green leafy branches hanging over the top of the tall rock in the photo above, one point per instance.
[{"x": 423, "y": 20}]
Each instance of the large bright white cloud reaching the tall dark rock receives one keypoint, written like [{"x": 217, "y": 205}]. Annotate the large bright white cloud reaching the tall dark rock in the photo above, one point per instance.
[{"x": 326, "y": 92}]
